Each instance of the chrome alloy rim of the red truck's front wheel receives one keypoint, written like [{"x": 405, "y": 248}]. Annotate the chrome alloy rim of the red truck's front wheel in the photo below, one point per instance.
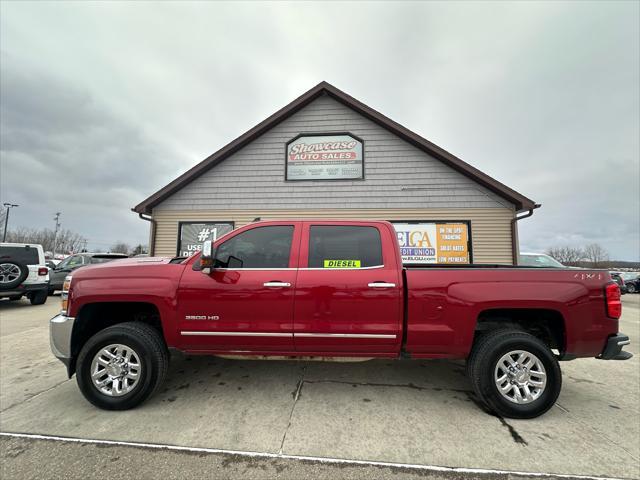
[{"x": 115, "y": 370}]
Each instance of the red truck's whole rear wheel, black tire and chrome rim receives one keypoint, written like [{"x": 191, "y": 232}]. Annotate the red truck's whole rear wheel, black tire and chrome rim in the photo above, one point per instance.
[{"x": 514, "y": 374}]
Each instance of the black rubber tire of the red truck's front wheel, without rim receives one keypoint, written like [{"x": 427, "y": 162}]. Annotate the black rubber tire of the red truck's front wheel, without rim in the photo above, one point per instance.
[{"x": 154, "y": 360}]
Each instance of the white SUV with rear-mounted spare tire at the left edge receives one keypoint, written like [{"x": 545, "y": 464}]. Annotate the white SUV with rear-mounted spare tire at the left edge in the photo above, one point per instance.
[{"x": 23, "y": 272}]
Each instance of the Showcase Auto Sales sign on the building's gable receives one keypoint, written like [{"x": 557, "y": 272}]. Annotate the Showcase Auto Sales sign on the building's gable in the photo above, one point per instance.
[{"x": 324, "y": 157}]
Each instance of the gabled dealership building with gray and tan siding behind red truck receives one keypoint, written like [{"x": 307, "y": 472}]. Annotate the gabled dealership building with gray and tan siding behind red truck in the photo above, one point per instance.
[{"x": 328, "y": 155}]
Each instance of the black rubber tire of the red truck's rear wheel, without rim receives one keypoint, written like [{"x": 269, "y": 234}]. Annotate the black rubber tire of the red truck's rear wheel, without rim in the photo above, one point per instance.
[{"x": 481, "y": 368}]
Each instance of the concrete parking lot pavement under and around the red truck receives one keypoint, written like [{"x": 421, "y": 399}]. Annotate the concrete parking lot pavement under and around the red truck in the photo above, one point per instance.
[{"x": 407, "y": 413}]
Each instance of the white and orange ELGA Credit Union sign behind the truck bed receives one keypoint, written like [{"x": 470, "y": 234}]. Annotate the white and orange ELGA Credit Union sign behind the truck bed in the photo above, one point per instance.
[{"x": 439, "y": 243}]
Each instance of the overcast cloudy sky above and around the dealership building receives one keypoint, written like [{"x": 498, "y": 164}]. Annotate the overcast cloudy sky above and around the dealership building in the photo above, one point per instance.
[{"x": 104, "y": 103}]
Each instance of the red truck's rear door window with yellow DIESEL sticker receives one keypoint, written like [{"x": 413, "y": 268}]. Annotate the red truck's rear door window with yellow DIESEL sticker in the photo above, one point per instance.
[{"x": 344, "y": 247}]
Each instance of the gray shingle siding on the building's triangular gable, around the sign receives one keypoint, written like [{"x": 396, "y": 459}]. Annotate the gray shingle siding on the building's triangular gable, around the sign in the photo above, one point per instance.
[{"x": 254, "y": 176}]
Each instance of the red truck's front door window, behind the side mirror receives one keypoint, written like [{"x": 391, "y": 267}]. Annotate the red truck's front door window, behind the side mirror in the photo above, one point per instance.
[{"x": 262, "y": 247}]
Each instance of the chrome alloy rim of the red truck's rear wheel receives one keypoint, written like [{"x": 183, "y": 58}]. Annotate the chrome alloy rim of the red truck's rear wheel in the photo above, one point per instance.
[{"x": 520, "y": 377}]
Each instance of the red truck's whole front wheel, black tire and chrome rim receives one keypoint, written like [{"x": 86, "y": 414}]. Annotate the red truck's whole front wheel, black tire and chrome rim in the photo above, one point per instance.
[{"x": 121, "y": 366}]
